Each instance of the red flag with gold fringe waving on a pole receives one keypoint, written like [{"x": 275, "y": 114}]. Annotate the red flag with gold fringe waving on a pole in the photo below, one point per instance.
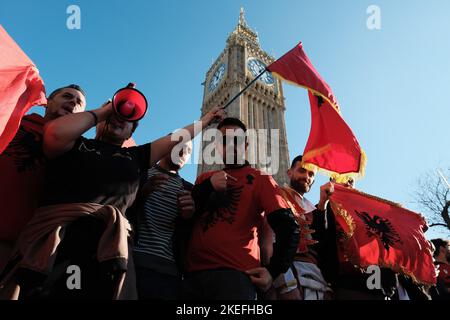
[{"x": 332, "y": 146}]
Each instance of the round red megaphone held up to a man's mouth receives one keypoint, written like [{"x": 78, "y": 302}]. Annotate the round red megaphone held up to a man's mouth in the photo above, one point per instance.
[{"x": 129, "y": 103}]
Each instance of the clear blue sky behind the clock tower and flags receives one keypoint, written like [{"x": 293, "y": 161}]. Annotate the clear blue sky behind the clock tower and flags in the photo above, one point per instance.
[{"x": 391, "y": 83}]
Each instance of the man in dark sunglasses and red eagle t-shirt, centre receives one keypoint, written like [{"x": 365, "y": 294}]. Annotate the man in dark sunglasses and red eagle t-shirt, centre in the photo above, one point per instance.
[{"x": 223, "y": 256}]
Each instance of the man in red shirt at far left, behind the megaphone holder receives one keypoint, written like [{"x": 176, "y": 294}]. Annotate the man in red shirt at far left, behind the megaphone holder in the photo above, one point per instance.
[{"x": 22, "y": 166}]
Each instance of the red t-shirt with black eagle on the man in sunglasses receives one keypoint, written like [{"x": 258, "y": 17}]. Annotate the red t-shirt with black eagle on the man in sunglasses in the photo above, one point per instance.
[{"x": 226, "y": 233}]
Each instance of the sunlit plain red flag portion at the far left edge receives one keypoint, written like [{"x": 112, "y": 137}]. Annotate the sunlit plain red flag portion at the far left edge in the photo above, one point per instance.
[{"x": 21, "y": 87}]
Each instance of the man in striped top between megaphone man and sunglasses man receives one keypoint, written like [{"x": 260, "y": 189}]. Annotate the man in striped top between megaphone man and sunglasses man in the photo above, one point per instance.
[{"x": 163, "y": 203}]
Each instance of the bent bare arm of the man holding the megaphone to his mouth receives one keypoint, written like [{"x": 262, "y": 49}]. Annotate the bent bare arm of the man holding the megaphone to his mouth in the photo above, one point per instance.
[{"x": 60, "y": 134}]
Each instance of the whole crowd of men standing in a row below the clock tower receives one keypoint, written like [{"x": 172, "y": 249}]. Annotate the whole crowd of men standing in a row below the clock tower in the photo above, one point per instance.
[{"x": 137, "y": 230}]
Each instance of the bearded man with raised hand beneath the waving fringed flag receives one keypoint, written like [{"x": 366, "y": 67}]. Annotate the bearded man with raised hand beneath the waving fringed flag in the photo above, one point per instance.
[{"x": 304, "y": 280}]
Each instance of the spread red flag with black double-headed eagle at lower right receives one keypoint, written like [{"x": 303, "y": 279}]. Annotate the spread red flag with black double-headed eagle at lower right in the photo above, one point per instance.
[{"x": 380, "y": 232}]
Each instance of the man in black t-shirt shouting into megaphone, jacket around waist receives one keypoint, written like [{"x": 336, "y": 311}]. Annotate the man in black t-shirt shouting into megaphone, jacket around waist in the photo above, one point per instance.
[{"x": 89, "y": 178}]
